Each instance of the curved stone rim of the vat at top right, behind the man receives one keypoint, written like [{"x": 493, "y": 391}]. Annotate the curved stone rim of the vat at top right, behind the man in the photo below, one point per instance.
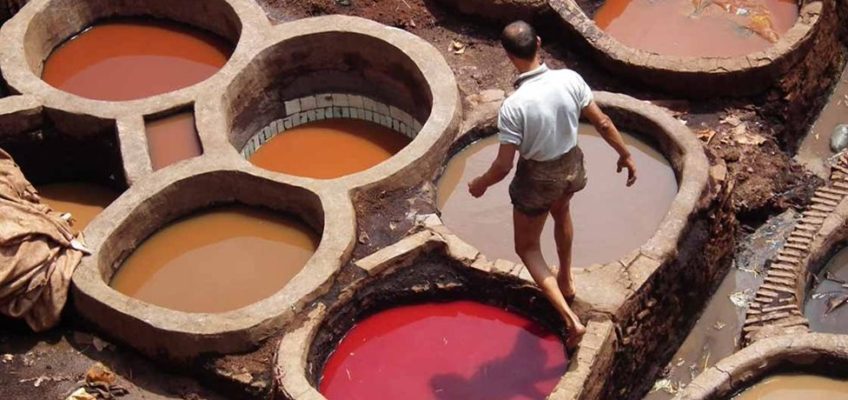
[{"x": 699, "y": 77}]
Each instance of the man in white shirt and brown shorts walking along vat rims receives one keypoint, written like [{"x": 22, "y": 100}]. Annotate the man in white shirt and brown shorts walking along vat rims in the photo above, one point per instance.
[{"x": 539, "y": 121}]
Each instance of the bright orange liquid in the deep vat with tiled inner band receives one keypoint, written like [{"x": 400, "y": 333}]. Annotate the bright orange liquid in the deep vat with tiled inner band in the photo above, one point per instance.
[{"x": 329, "y": 149}]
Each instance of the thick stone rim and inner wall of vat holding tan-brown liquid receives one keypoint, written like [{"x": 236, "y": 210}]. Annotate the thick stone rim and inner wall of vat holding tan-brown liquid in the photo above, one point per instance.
[{"x": 179, "y": 190}]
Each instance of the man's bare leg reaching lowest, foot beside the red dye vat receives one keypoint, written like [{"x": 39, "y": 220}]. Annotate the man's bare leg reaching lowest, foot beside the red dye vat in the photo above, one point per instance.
[{"x": 528, "y": 230}]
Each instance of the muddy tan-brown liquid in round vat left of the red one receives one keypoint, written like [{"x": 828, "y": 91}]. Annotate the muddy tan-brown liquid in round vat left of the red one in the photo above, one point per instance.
[{"x": 216, "y": 261}]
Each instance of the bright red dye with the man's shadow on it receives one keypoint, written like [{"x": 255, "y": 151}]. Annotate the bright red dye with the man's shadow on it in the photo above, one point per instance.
[{"x": 459, "y": 351}]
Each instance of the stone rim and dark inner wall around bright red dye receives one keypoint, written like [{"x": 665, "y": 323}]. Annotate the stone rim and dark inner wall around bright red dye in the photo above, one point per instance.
[{"x": 298, "y": 365}]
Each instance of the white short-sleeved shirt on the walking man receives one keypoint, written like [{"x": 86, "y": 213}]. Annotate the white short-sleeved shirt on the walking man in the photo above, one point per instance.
[{"x": 542, "y": 116}]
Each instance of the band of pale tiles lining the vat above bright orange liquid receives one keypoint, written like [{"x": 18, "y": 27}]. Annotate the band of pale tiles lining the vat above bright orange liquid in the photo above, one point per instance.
[{"x": 334, "y": 106}]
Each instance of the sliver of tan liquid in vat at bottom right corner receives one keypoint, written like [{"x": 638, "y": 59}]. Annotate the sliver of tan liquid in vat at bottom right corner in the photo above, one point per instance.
[{"x": 795, "y": 387}]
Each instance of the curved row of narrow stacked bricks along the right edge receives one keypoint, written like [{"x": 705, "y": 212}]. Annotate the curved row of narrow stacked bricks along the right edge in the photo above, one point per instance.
[{"x": 776, "y": 307}]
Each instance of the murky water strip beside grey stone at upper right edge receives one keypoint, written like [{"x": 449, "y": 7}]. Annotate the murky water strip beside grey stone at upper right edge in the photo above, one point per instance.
[{"x": 815, "y": 147}]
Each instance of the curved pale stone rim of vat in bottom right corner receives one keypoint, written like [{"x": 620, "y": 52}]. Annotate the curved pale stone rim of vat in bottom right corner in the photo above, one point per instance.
[{"x": 812, "y": 352}]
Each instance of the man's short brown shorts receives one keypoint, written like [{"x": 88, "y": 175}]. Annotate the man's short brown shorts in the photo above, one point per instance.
[{"x": 538, "y": 184}]
